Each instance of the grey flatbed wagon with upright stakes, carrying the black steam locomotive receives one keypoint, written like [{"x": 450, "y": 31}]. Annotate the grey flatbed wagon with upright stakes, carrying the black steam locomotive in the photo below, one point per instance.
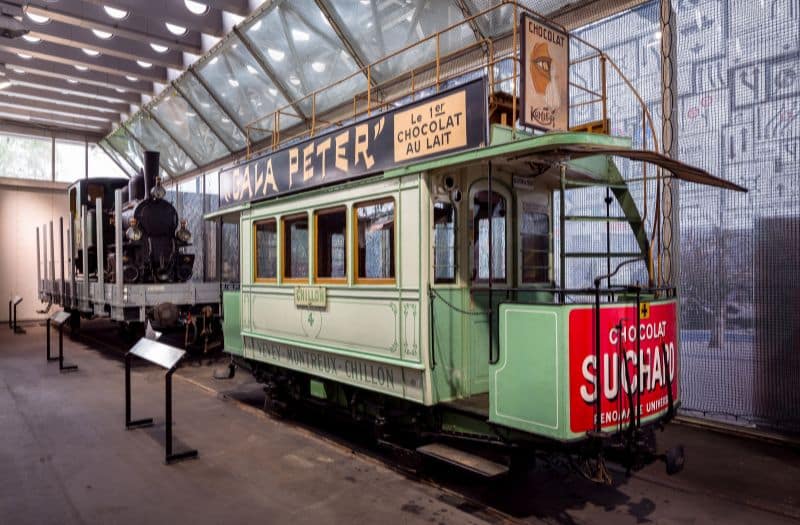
[{"x": 123, "y": 254}]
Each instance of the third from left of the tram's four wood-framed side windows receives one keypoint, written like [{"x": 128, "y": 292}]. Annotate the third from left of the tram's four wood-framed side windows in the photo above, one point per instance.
[{"x": 331, "y": 248}]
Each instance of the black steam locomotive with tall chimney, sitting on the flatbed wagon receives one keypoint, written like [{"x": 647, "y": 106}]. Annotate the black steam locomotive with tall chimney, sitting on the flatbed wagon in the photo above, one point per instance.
[{"x": 153, "y": 237}]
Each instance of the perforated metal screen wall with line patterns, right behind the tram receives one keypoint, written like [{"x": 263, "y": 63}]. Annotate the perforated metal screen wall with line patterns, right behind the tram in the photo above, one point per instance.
[{"x": 738, "y": 104}]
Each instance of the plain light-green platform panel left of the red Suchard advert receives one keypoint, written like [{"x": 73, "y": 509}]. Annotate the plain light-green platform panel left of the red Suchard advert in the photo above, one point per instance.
[{"x": 527, "y": 382}]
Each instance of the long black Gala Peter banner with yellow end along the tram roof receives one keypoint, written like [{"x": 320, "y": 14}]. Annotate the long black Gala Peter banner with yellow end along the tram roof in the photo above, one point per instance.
[{"x": 448, "y": 122}]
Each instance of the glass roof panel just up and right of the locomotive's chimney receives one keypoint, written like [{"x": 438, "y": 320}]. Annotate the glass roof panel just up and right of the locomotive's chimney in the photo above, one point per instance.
[{"x": 183, "y": 123}]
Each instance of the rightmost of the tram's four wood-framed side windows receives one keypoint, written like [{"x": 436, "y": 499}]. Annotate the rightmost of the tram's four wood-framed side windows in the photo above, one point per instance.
[{"x": 375, "y": 240}]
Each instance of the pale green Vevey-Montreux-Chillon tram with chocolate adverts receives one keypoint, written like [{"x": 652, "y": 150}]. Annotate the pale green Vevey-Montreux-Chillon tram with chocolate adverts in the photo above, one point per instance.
[{"x": 413, "y": 270}]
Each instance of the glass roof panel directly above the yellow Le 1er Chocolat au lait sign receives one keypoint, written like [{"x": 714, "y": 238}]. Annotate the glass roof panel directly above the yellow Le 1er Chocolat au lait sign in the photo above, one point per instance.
[{"x": 383, "y": 28}]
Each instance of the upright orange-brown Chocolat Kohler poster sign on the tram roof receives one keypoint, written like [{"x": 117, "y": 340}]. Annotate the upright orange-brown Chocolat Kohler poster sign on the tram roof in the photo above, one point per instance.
[{"x": 545, "y": 75}]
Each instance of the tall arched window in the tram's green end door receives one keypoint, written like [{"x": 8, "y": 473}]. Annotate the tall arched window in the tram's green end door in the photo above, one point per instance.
[{"x": 488, "y": 211}]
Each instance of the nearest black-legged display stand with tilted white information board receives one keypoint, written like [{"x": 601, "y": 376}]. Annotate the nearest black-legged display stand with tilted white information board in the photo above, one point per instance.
[{"x": 166, "y": 357}]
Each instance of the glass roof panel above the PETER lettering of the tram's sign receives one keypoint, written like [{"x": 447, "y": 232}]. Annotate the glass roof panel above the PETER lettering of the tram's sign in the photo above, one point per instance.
[{"x": 299, "y": 44}]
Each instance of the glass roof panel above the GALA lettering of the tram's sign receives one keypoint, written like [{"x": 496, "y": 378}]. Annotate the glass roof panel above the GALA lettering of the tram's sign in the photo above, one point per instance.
[{"x": 241, "y": 86}]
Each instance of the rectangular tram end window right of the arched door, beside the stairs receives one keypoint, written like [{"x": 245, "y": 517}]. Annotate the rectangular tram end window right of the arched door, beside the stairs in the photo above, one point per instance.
[{"x": 534, "y": 234}]
